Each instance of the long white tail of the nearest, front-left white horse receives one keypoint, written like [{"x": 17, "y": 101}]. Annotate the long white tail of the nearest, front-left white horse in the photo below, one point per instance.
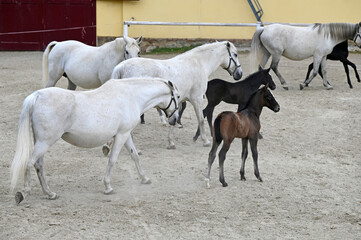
[{"x": 24, "y": 146}]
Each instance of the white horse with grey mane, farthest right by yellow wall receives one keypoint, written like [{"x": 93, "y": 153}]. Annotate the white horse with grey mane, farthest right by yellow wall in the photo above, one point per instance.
[{"x": 298, "y": 43}]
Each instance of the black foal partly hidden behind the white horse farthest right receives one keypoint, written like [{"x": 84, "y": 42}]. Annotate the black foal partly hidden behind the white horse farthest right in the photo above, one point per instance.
[{"x": 339, "y": 53}]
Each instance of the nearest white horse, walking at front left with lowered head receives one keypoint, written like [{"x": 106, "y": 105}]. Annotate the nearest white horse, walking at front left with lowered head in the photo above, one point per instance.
[{"x": 87, "y": 119}]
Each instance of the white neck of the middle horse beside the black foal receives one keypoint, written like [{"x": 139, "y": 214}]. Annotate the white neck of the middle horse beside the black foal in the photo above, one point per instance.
[{"x": 210, "y": 57}]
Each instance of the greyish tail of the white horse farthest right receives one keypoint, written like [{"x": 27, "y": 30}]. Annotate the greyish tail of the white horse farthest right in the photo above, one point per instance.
[{"x": 257, "y": 50}]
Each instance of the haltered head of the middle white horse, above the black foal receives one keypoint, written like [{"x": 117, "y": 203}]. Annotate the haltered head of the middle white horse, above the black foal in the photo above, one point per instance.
[{"x": 233, "y": 66}]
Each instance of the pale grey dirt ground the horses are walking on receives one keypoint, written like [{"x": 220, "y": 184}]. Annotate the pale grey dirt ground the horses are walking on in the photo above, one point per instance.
[{"x": 310, "y": 161}]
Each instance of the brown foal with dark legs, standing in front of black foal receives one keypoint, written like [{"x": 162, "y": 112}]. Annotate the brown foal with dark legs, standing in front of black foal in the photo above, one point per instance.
[{"x": 244, "y": 124}]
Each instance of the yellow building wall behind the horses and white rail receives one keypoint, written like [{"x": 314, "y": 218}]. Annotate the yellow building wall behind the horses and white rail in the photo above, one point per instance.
[{"x": 112, "y": 13}]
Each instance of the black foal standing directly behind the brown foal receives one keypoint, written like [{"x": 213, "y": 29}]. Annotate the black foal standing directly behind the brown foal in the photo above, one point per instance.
[{"x": 235, "y": 93}]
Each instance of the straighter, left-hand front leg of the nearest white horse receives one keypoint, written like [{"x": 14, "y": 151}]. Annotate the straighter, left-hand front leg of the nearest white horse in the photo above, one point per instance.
[{"x": 119, "y": 141}]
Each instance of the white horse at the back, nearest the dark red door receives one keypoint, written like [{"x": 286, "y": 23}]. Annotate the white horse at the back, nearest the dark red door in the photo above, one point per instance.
[{"x": 85, "y": 66}]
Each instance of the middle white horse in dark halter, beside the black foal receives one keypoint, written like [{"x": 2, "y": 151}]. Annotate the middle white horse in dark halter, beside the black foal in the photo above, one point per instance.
[{"x": 189, "y": 71}]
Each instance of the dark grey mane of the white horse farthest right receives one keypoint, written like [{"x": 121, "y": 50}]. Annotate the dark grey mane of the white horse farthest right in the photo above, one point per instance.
[{"x": 337, "y": 31}]
